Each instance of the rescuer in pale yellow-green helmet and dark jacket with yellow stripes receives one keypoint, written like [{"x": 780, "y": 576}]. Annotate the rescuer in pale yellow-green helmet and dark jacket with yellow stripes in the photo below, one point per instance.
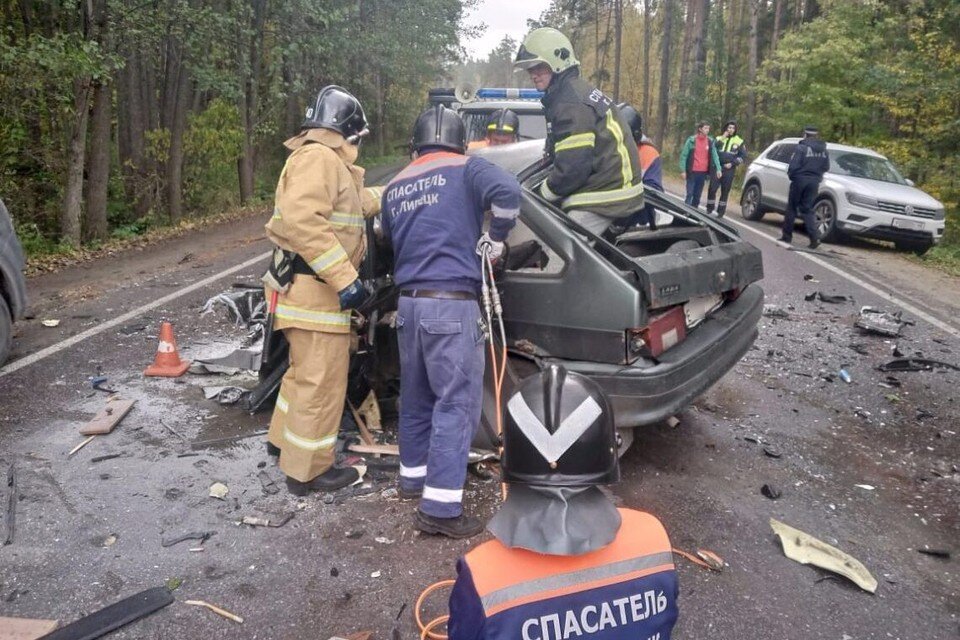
[{"x": 596, "y": 173}]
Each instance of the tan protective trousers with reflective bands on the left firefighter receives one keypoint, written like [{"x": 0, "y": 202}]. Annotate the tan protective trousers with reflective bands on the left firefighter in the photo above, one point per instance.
[{"x": 306, "y": 419}]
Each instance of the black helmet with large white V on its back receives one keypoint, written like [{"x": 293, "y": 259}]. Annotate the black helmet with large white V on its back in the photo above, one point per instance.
[{"x": 558, "y": 432}]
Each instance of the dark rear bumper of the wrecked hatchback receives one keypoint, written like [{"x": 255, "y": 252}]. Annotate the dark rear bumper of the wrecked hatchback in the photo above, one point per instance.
[{"x": 643, "y": 395}]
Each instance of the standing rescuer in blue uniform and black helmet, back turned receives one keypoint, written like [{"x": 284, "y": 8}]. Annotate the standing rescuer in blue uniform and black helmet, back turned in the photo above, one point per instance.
[{"x": 433, "y": 215}]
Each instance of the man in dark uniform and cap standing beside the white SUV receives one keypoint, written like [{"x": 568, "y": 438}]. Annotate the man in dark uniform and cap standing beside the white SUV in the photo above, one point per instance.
[{"x": 807, "y": 166}]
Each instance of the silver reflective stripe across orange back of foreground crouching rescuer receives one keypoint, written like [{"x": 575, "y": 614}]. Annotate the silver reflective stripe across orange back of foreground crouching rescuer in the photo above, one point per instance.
[{"x": 607, "y": 574}]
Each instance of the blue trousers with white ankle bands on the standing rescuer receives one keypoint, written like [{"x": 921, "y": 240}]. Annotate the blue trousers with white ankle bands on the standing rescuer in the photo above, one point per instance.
[{"x": 441, "y": 387}]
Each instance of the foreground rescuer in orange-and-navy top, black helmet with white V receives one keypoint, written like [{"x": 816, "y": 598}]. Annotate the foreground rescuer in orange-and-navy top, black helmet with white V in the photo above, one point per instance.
[{"x": 566, "y": 563}]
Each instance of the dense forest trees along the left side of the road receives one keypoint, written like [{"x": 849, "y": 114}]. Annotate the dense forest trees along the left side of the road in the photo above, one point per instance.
[{"x": 115, "y": 114}]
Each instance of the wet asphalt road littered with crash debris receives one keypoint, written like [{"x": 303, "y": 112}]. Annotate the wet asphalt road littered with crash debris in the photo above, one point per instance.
[{"x": 352, "y": 562}]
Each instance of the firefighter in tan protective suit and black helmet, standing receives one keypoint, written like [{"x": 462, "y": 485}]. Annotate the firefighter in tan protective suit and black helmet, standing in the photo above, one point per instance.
[{"x": 318, "y": 227}]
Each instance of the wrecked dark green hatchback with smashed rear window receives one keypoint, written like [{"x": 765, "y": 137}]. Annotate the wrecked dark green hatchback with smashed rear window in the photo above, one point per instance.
[{"x": 655, "y": 317}]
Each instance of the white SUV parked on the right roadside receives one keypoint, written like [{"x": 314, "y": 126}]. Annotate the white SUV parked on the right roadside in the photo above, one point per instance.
[{"x": 863, "y": 194}]
